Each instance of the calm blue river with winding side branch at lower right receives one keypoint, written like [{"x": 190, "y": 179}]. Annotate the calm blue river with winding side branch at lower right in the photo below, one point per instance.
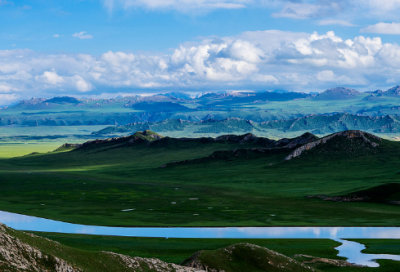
[{"x": 350, "y": 250}]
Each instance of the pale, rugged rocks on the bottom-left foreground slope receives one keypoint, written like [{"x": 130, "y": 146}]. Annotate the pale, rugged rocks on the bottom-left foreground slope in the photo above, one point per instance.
[{"x": 17, "y": 255}]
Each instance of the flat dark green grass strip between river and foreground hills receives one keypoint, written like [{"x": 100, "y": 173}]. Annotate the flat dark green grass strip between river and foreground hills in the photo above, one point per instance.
[{"x": 176, "y": 250}]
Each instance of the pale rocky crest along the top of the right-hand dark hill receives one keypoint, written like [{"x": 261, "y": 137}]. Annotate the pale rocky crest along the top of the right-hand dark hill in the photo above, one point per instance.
[{"x": 347, "y": 134}]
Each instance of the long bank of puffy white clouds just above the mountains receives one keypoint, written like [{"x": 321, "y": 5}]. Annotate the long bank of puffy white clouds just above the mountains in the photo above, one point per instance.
[{"x": 259, "y": 59}]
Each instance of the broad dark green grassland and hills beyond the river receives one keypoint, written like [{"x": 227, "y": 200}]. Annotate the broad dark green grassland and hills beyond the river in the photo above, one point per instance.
[{"x": 231, "y": 181}]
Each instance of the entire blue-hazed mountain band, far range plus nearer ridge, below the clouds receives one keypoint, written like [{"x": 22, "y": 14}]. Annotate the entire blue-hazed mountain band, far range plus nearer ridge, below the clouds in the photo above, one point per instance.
[{"x": 279, "y": 110}]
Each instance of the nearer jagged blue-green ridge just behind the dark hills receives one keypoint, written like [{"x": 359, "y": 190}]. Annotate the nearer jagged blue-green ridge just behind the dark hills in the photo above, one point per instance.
[{"x": 317, "y": 124}]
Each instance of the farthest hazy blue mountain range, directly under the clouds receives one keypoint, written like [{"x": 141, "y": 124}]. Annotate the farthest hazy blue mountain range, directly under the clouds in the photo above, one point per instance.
[{"x": 254, "y": 106}]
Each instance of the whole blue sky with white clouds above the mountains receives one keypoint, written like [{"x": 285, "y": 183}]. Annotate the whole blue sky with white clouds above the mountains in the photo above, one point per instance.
[{"x": 105, "y": 48}]
